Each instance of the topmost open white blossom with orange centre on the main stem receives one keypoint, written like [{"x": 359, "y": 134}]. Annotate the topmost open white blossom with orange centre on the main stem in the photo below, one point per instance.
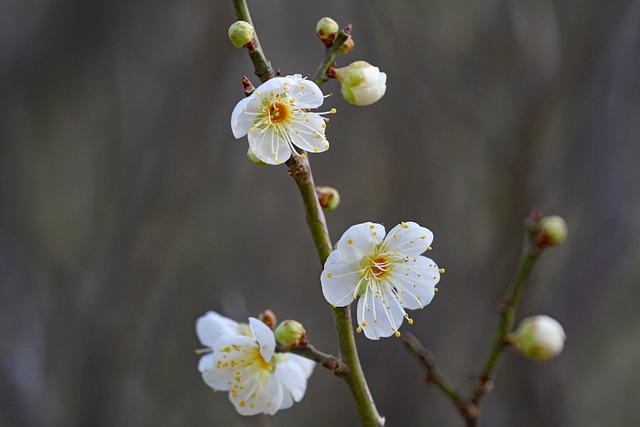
[{"x": 276, "y": 118}]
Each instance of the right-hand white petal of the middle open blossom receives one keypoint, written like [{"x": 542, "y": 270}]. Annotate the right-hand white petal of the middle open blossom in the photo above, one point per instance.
[{"x": 415, "y": 281}]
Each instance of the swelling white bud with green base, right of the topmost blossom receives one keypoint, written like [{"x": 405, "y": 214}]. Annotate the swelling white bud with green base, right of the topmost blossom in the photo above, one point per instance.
[{"x": 362, "y": 83}]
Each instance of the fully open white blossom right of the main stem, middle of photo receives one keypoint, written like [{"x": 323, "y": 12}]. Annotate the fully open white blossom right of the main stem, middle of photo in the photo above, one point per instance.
[{"x": 388, "y": 274}]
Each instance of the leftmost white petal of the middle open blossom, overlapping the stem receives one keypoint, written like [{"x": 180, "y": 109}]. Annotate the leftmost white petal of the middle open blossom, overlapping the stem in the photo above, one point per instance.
[{"x": 339, "y": 280}]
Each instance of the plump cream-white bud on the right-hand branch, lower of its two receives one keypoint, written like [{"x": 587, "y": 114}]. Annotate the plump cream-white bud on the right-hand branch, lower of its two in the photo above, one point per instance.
[{"x": 538, "y": 337}]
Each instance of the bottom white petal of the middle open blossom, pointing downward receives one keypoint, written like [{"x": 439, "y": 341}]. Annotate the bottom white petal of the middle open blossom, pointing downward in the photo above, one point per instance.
[{"x": 379, "y": 315}]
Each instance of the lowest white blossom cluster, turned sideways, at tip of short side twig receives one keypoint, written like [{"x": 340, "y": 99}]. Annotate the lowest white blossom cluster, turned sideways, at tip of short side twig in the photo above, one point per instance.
[{"x": 240, "y": 358}]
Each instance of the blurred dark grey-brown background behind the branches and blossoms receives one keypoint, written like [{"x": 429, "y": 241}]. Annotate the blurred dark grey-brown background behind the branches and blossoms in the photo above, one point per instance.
[{"x": 127, "y": 209}]
